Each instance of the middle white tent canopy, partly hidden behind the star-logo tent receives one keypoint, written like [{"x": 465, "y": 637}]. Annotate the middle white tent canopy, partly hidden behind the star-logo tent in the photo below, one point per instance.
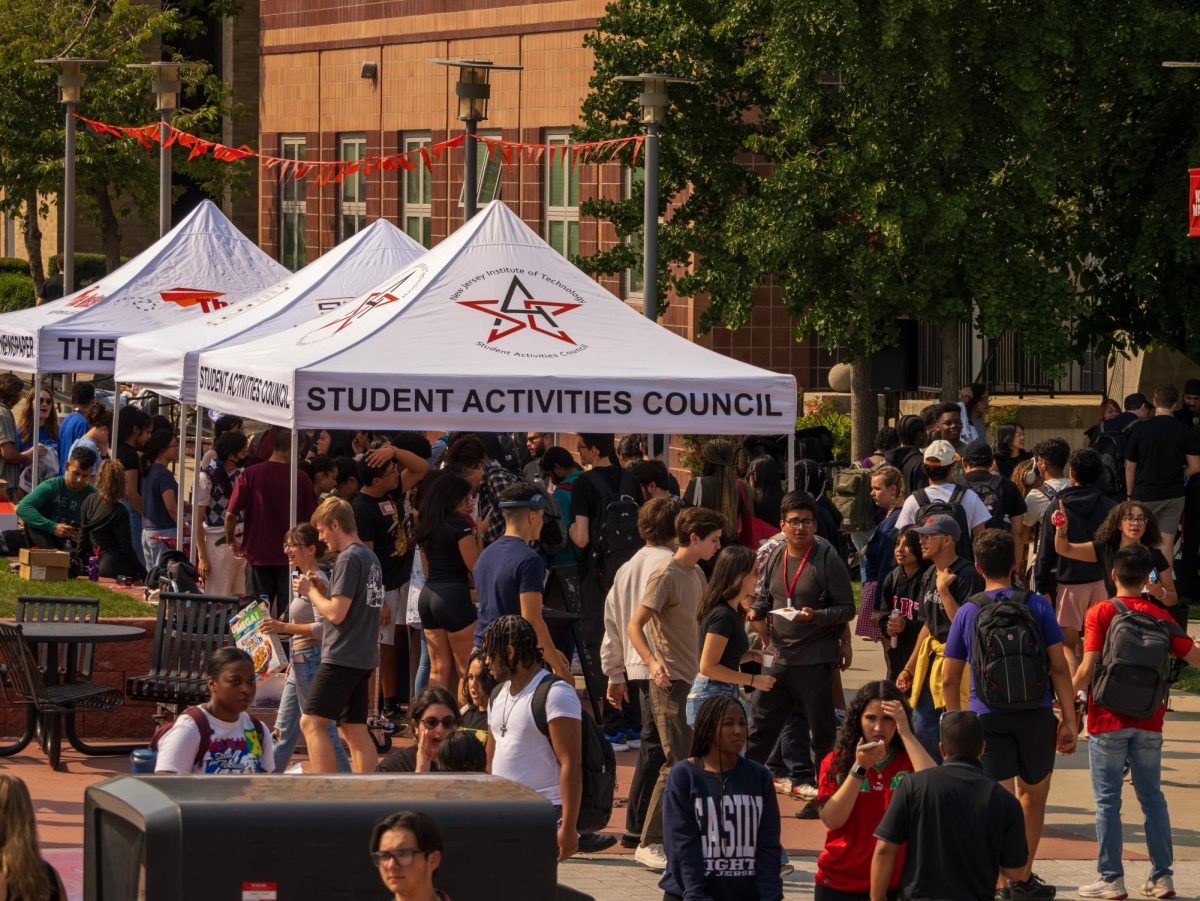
[{"x": 166, "y": 361}]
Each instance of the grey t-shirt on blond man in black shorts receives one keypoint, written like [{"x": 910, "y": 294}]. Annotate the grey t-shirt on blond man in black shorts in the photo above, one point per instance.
[{"x": 355, "y": 642}]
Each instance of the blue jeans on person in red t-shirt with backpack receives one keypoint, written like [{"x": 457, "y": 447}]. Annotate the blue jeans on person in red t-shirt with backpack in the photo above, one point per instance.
[{"x": 1107, "y": 755}]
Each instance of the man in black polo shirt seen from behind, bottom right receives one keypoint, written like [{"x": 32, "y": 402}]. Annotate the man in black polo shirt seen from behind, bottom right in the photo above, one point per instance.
[{"x": 962, "y": 828}]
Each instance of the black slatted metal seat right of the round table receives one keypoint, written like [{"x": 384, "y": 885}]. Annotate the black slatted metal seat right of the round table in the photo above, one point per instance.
[{"x": 189, "y": 629}]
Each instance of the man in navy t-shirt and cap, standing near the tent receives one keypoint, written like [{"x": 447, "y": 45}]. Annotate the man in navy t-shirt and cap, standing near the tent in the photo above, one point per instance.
[{"x": 509, "y": 574}]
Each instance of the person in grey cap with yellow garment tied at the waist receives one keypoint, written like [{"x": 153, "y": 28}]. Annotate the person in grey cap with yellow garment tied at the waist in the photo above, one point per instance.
[{"x": 945, "y": 587}]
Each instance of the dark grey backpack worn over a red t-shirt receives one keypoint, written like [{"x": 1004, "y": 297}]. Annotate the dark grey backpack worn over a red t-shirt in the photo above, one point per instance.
[{"x": 1136, "y": 668}]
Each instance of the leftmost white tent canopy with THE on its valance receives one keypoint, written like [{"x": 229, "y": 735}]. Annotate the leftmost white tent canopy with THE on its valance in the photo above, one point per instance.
[{"x": 203, "y": 266}]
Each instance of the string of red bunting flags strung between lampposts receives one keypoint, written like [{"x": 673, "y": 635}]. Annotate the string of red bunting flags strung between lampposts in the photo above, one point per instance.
[{"x": 325, "y": 172}]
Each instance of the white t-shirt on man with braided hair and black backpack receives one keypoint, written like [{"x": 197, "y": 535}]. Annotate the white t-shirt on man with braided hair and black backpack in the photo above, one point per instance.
[{"x": 523, "y": 753}]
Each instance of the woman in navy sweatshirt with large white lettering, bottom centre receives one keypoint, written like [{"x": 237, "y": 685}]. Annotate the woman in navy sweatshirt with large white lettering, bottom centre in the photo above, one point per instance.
[{"x": 721, "y": 816}]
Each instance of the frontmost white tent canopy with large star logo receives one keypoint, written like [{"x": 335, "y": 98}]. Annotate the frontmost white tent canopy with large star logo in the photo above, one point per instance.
[{"x": 494, "y": 329}]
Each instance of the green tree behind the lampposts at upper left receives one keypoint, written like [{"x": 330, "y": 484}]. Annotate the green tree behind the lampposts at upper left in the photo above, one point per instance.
[{"x": 113, "y": 179}]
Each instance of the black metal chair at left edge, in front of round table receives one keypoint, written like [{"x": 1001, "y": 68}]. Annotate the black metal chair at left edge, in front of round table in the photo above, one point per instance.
[{"x": 51, "y": 702}]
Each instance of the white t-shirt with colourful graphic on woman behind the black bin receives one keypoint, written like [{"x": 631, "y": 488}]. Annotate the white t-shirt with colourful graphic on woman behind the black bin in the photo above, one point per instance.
[{"x": 233, "y": 750}]
